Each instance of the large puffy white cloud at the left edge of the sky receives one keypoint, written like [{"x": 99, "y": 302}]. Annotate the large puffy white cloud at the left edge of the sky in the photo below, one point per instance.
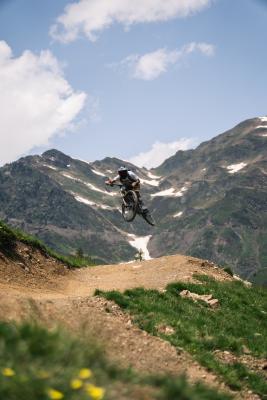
[{"x": 36, "y": 101}]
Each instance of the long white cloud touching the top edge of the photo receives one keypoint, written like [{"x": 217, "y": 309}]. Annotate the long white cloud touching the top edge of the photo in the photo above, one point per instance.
[{"x": 90, "y": 17}]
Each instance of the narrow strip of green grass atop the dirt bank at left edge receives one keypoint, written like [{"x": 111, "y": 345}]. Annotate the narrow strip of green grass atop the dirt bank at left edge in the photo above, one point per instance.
[{"x": 10, "y": 236}]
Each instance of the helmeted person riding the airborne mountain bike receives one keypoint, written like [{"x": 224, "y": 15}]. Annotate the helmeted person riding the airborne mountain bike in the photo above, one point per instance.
[{"x": 130, "y": 181}]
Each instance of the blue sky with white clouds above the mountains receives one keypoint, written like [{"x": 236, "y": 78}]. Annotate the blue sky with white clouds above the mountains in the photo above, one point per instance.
[{"x": 116, "y": 110}]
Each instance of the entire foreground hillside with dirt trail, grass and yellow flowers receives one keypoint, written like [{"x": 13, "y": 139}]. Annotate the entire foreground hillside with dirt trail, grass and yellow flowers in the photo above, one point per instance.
[{"x": 182, "y": 349}]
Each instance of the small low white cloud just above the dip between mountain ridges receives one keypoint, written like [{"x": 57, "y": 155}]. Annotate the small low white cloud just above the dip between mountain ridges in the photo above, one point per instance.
[{"x": 160, "y": 152}]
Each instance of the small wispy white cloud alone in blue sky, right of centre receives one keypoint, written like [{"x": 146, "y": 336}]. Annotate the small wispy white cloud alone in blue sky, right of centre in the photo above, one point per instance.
[{"x": 151, "y": 65}]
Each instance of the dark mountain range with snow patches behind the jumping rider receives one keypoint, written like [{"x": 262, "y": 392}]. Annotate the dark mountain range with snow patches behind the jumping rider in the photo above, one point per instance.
[{"x": 209, "y": 202}]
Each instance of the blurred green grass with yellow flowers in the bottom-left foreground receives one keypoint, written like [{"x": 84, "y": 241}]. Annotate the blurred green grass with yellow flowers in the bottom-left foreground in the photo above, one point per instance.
[{"x": 40, "y": 360}]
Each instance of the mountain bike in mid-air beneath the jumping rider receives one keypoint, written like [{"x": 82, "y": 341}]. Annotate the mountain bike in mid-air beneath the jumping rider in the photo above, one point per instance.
[{"x": 131, "y": 206}]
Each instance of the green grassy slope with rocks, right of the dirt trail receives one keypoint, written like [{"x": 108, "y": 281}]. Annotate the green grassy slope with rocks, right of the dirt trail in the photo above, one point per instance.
[{"x": 201, "y": 330}]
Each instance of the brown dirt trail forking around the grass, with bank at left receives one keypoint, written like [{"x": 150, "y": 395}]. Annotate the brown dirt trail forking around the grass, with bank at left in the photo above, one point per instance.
[{"x": 39, "y": 288}]
